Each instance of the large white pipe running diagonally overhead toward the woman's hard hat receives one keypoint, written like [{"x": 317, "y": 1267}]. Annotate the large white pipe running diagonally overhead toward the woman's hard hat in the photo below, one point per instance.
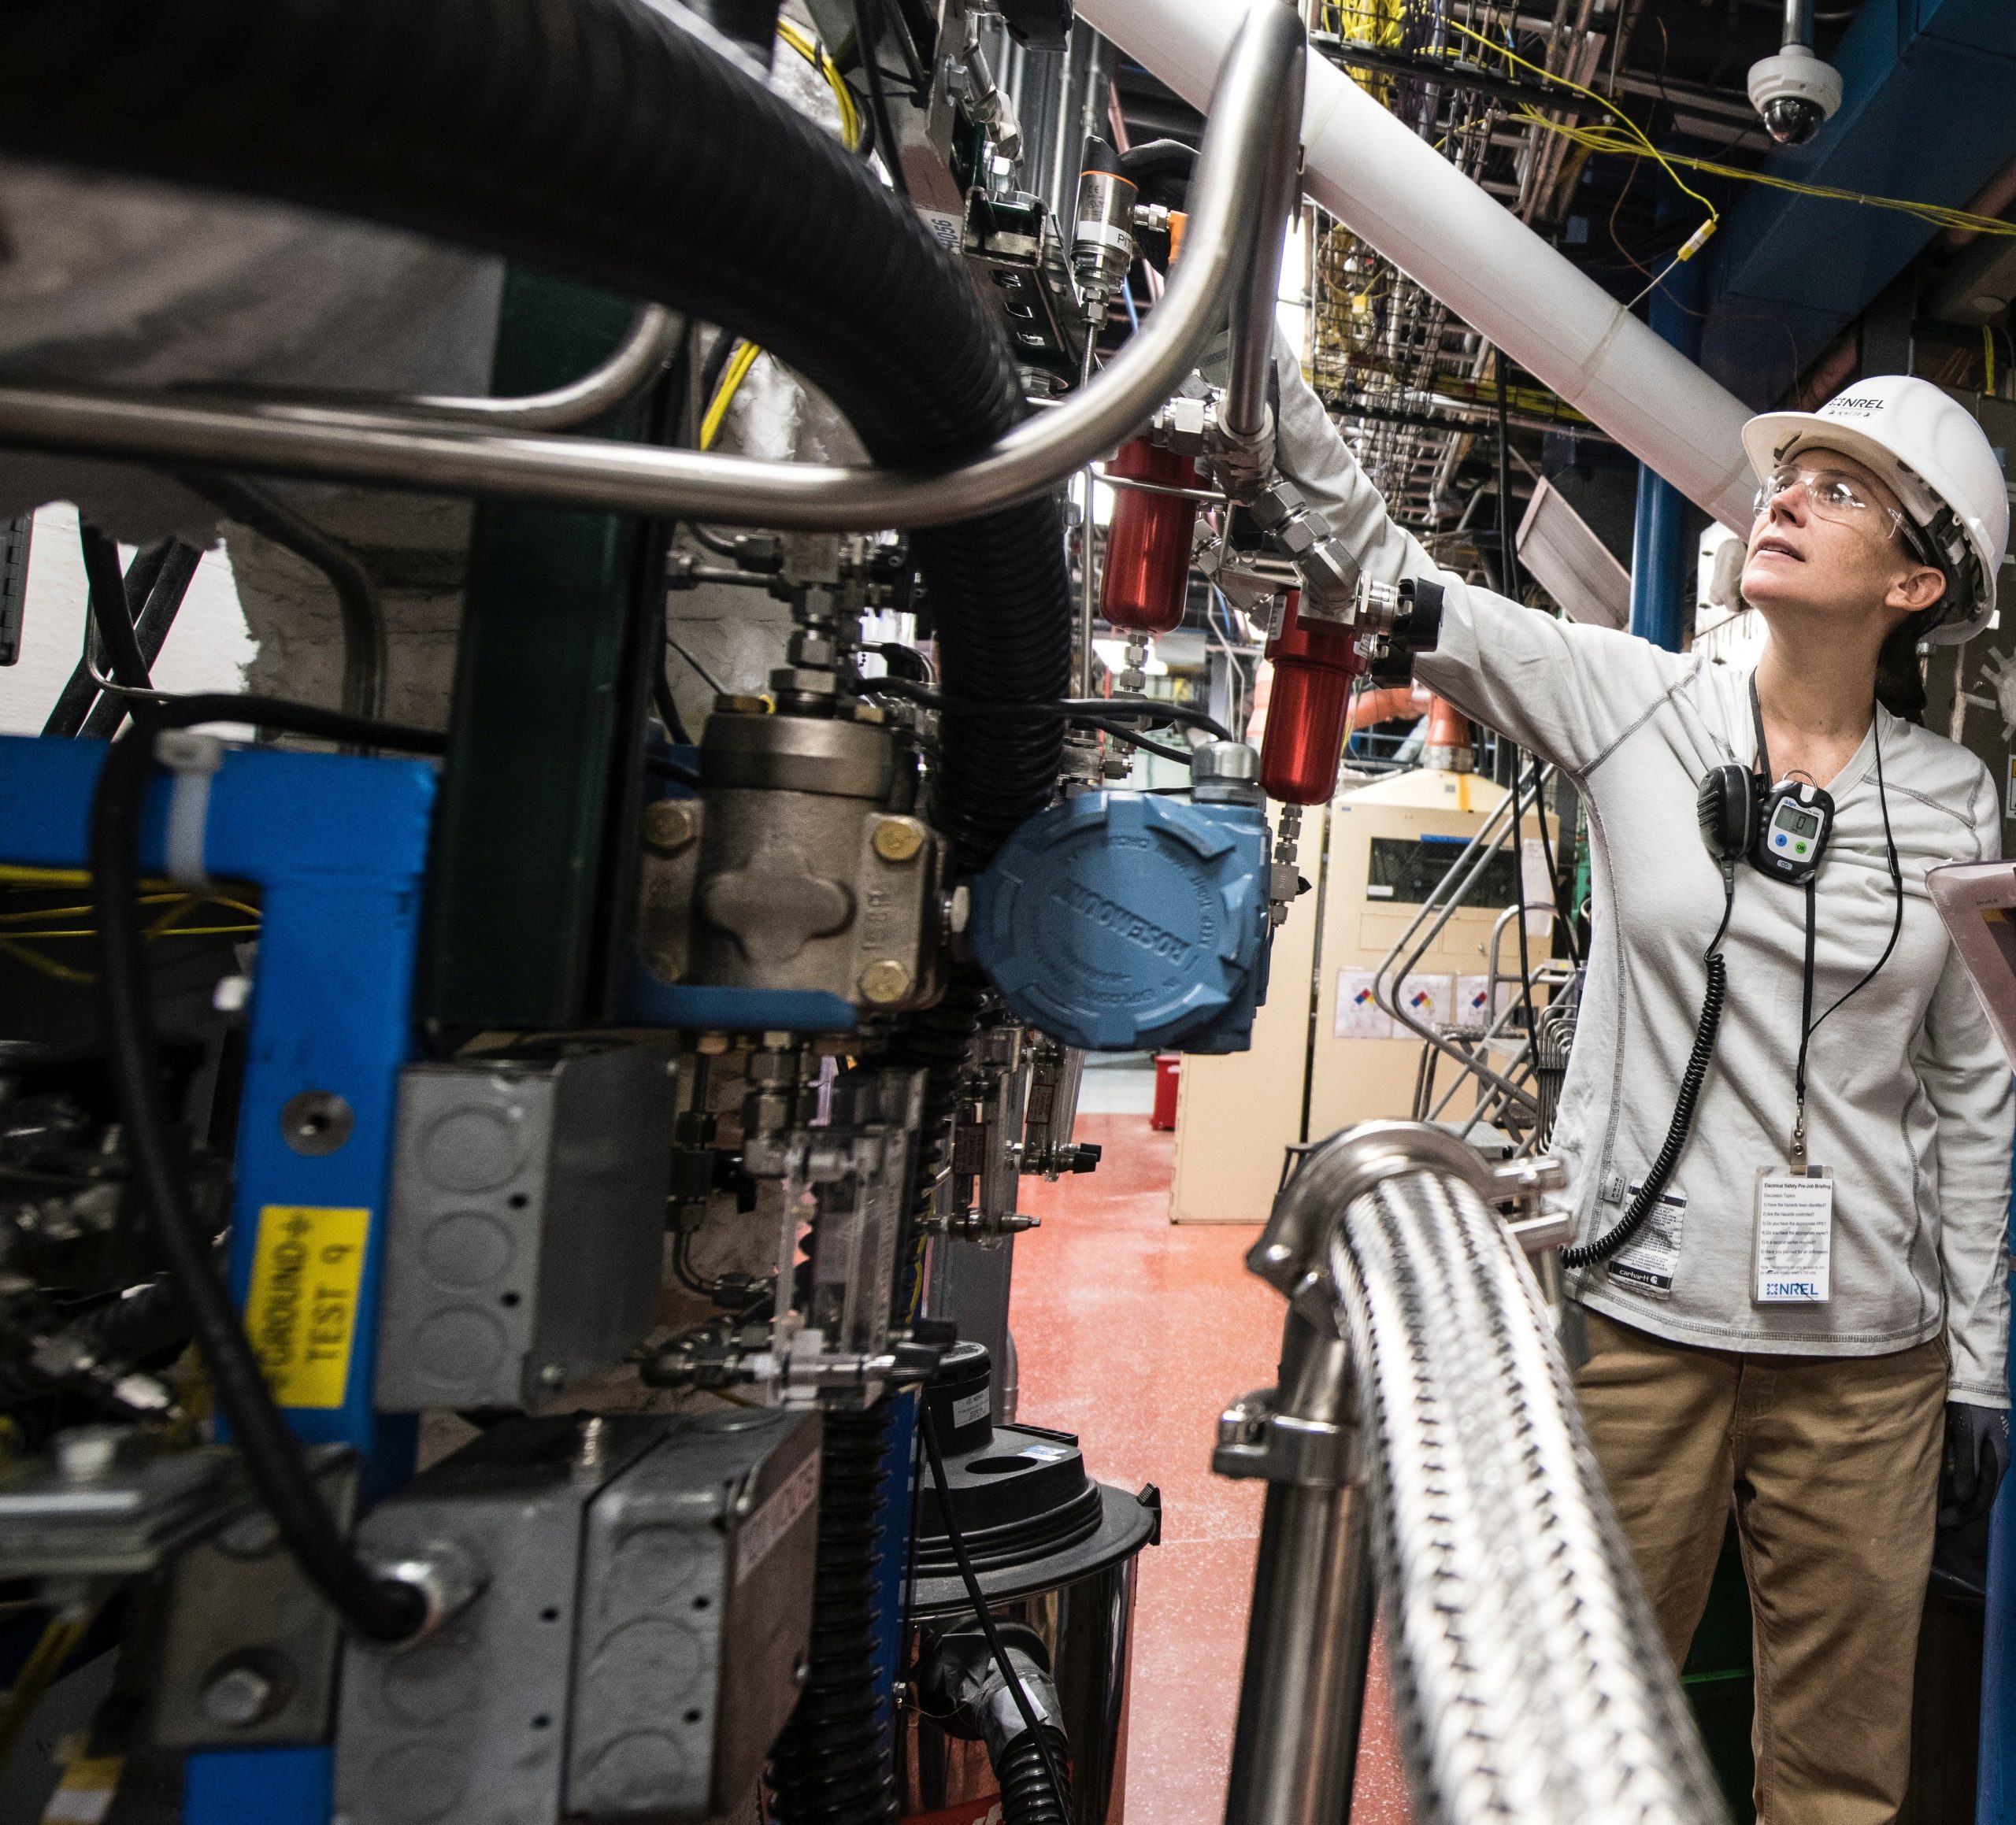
[{"x": 1396, "y": 193}]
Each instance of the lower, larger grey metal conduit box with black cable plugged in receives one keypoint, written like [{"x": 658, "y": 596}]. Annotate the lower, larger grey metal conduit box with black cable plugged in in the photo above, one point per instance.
[{"x": 638, "y": 1638}]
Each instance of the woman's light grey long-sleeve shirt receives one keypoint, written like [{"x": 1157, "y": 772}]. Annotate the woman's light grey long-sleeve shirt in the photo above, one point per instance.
[{"x": 1908, "y": 1092}]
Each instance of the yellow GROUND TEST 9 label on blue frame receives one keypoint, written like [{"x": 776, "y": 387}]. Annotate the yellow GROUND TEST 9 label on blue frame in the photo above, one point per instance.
[{"x": 303, "y": 1308}]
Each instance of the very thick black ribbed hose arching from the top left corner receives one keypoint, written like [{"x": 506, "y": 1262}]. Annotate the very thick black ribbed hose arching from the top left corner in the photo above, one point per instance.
[{"x": 602, "y": 142}]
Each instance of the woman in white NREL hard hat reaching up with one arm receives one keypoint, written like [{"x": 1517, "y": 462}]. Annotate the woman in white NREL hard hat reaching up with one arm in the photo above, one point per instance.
[{"x": 1813, "y": 1308}]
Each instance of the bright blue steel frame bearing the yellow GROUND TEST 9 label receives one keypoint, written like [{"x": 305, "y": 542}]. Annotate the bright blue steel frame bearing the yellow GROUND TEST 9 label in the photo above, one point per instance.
[{"x": 338, "y": 846}]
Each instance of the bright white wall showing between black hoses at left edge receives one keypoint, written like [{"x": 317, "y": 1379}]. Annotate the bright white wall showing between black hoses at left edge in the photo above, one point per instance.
[{"x": 207, "y": 650}]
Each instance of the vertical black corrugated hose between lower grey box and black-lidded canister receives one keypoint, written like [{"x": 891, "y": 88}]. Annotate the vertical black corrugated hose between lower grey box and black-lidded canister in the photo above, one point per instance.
[{"x": 832, "y": 1766}]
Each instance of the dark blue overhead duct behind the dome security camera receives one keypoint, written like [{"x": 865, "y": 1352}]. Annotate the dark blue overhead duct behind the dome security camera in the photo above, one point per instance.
[{"x": 1926, "y": 114}]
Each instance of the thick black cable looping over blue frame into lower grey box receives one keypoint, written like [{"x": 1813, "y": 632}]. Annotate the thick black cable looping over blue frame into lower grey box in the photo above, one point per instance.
[{"x": 384, "y": 1610}]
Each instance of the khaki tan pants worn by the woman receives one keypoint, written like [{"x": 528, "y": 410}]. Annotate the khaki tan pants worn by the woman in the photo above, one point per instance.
[{"x": 1834, "y": 1467}]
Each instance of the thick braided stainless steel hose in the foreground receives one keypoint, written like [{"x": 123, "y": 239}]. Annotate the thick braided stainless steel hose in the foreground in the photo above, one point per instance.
[{"x": 1531, "y": 1677}]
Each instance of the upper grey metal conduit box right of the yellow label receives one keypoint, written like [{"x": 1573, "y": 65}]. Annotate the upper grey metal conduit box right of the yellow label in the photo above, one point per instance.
[{"x": 527, "y": 1225}]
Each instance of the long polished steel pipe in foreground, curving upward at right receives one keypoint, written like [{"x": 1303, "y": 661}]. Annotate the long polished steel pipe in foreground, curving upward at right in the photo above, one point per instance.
[{"x": 390, "y": 451}]
